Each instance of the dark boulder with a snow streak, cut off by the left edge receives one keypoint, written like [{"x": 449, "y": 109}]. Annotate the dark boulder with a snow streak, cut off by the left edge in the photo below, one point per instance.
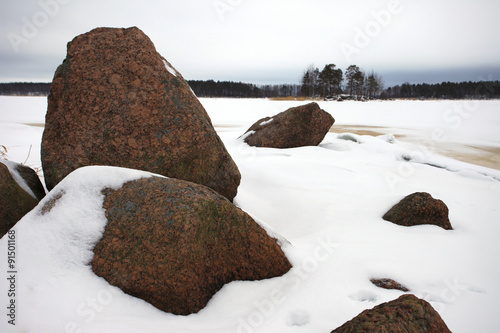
[{"x": 20, "y": 190}]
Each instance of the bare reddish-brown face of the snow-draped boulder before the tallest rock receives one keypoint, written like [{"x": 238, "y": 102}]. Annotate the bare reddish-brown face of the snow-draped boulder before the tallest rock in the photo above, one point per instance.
[{"x": 174, "y": 244}]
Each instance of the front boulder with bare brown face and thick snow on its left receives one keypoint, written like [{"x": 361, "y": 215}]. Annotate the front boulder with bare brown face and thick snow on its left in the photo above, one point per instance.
[{"x": 191, "y": 250}]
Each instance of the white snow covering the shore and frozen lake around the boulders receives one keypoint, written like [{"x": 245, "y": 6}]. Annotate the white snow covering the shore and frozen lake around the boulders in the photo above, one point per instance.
[{"x": 328, "y": 201}]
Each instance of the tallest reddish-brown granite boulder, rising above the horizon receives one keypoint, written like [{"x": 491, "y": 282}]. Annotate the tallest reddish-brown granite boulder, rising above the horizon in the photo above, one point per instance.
[{"x": 116, "y": 101}]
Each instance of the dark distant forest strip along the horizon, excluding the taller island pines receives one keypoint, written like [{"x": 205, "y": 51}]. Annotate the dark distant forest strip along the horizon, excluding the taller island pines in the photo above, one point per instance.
[{"x": 211, "y": 88}]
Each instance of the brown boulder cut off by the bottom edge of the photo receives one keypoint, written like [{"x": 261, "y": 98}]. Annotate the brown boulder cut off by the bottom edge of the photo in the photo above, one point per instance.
[{"x": 405, "y": 314}]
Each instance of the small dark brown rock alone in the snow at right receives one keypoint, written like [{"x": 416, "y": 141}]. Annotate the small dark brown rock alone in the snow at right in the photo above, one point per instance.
[{"x": 419, "y": 208}]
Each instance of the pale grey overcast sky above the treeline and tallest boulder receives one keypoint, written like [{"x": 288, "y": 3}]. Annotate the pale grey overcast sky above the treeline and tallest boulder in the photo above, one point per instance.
[{"x": 268, "y": 41}]
